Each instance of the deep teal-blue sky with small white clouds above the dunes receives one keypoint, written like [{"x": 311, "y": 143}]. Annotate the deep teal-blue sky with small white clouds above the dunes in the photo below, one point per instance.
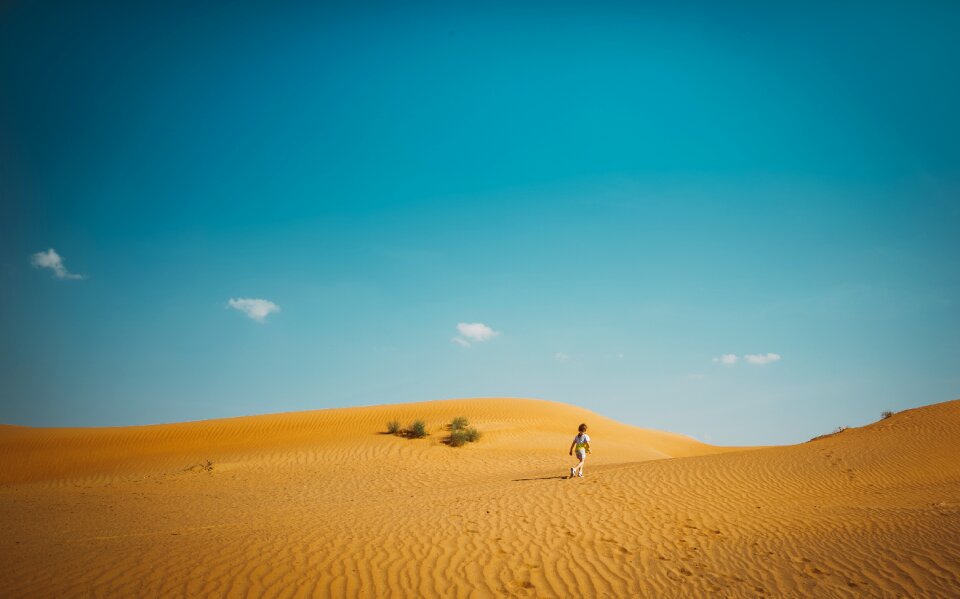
[{"x": 621, "y": 195}]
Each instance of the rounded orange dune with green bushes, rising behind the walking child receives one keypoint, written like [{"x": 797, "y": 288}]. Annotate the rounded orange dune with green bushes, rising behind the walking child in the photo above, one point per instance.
[{"x": 529, "y": 425}]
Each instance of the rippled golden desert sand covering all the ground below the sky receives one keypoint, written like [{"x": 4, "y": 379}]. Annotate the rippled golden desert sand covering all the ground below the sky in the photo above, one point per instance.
[{"x": 325, "y": 503}]
